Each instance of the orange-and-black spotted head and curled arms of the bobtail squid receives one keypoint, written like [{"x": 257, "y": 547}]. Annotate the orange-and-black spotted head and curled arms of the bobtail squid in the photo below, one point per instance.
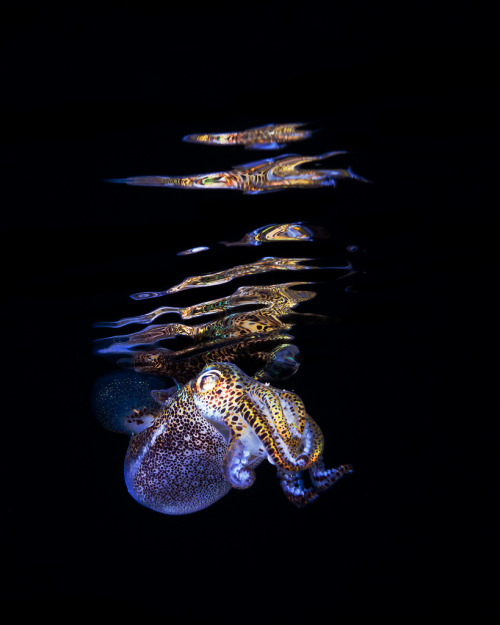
[{"x": 264, "y": 422}]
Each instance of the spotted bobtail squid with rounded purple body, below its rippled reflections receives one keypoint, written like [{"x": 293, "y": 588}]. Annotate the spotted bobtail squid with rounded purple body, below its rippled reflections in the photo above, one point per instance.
[{"x": 211, "y": 434}]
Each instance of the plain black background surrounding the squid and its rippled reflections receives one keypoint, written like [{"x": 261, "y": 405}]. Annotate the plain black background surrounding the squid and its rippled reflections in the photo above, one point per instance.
[{"x": 401, "y": 385}]
